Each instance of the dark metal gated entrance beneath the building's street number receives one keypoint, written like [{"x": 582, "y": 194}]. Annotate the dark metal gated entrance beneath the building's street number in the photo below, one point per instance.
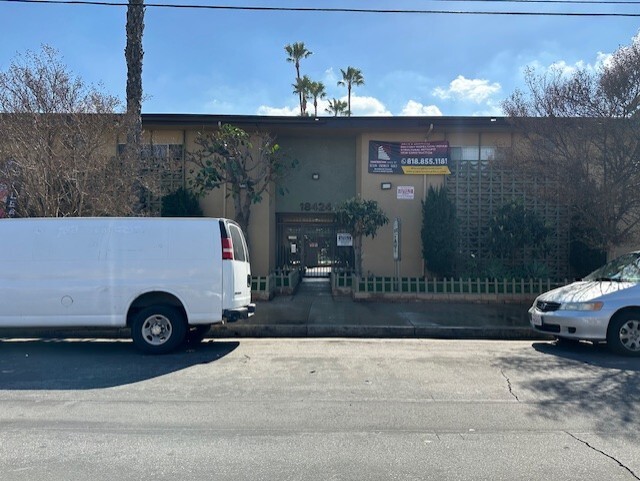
[{"x": 308, "y": 242}]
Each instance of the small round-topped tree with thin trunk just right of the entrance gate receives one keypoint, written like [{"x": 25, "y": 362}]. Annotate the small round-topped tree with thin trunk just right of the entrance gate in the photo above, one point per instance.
[{"x": 361, "y": 218}]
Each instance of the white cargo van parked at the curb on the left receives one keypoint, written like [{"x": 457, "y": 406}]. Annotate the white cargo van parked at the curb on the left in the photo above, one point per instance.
[{"x": 167, "y": 279}]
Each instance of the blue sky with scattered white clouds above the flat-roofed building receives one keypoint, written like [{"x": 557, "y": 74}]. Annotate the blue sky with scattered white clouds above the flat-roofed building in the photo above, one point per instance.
[{"x": 233, "y": 62}]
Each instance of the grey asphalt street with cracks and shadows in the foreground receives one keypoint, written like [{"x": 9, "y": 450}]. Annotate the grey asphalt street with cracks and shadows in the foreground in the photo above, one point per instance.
[{"x": 318, "y": 409}]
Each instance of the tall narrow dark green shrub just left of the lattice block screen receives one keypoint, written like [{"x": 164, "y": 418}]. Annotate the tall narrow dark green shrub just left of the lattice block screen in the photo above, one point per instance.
[{"x": 439, "y": 232}]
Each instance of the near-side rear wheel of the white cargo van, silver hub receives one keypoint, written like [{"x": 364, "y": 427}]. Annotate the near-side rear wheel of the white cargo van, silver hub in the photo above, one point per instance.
[{"x": 158, "y": 329}]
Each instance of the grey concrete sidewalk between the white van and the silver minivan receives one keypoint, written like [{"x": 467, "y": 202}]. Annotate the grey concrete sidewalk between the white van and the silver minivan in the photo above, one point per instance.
[{"x": 313, "y": 312}]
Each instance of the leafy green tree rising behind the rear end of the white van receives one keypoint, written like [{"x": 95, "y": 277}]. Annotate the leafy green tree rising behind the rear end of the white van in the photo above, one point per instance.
[{"x": 247, "y": 164}]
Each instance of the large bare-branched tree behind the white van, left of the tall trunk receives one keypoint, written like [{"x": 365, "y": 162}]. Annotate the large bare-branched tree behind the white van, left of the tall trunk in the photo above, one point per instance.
[{"x": 57, "y": 145}]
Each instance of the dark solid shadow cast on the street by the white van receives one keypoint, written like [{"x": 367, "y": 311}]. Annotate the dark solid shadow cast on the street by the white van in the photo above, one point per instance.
[{"x": 61, "y": 364}]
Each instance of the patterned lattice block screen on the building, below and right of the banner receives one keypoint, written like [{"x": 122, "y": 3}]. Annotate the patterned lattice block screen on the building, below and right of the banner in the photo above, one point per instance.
[{"x": 480, "y": 187}]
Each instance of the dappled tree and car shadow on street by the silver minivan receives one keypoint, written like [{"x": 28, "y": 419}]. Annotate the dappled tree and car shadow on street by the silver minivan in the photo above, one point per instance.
[{"x": 577, "y": 377}]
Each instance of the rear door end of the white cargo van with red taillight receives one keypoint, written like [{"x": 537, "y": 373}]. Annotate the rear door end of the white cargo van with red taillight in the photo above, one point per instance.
[{"x": 236, "y": 270}]
